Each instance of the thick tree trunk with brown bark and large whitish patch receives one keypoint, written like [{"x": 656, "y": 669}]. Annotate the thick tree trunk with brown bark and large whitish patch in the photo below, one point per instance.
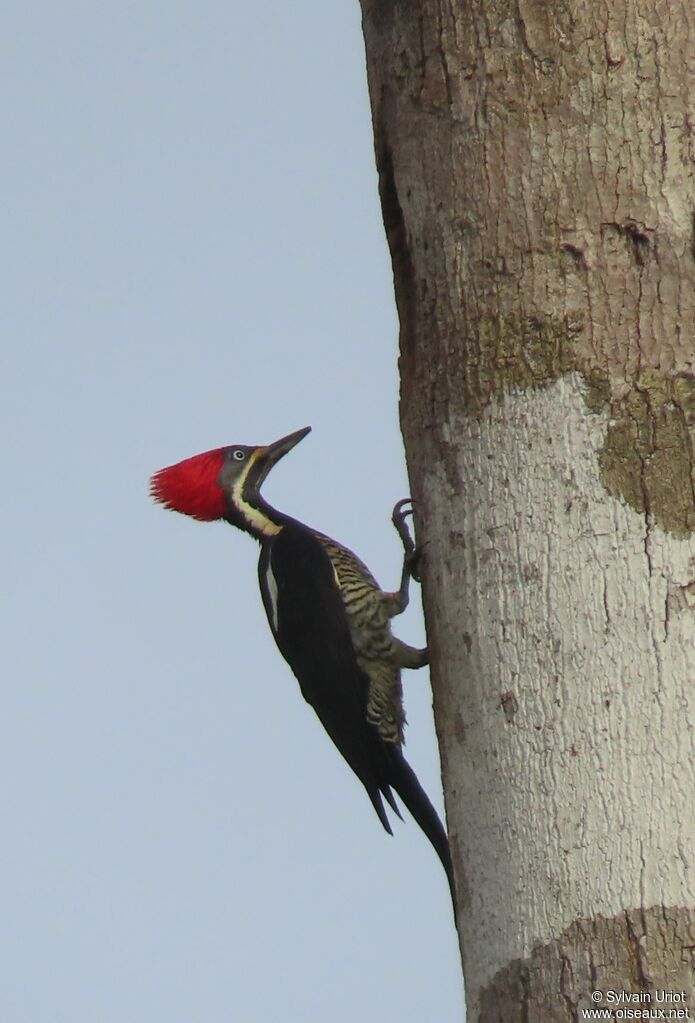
[{"x": 537, "y": 177}]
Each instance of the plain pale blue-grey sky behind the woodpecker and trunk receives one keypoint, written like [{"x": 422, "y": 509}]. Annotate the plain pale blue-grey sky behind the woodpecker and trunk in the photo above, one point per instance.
[{"x": 194, "y": 256}]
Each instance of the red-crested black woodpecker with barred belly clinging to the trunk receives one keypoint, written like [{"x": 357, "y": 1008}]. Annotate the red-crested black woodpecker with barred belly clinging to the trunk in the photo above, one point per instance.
[{"x": 329, "y": 617}]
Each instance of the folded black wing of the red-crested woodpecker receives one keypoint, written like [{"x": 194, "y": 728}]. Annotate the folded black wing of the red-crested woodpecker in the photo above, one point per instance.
[{"x": 307, "y": 614}]
